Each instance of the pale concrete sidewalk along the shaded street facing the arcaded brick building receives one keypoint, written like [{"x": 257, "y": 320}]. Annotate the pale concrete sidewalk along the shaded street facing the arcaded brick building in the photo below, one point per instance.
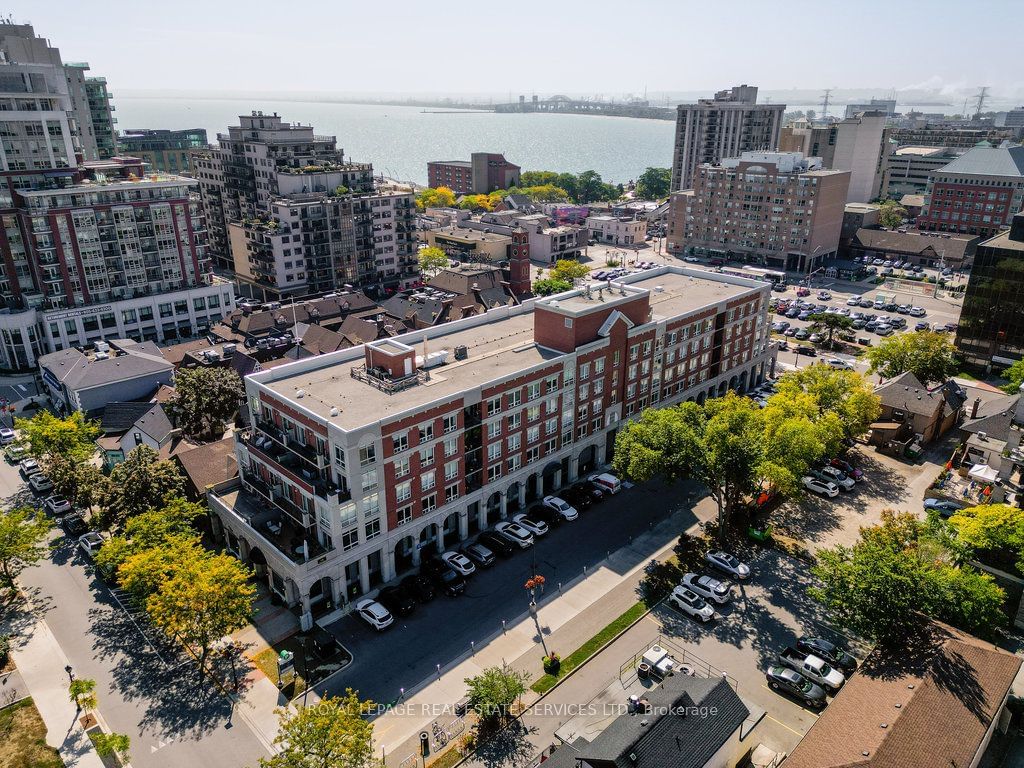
[{"x": 568, "y": 621}]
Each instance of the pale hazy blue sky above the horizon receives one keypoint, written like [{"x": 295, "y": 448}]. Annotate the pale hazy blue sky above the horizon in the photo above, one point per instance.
[{"x": 574, "y": 47}]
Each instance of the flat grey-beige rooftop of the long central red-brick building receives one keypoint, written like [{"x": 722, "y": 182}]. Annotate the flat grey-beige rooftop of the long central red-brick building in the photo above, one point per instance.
[{"x": 497, "y": 350}]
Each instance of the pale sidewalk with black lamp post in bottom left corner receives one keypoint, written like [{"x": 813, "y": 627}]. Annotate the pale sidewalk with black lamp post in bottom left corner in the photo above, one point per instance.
[{"x": 41, "y": 664}]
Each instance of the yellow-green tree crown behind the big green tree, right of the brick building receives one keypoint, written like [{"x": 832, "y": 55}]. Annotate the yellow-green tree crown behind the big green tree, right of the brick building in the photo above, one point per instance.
[{"x": 844, "y": 394}]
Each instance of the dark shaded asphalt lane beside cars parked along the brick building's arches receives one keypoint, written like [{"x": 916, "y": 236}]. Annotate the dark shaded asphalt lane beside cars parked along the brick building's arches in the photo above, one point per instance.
[{"x": 441, "y": 631}]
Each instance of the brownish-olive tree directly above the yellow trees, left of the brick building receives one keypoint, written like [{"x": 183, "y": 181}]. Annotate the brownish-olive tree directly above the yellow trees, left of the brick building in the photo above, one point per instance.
[{"x": 143, "y": 482}]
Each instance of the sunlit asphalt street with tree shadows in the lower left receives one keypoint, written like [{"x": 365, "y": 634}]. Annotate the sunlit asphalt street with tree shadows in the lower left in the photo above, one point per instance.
[{"x": 173, "y": 719}]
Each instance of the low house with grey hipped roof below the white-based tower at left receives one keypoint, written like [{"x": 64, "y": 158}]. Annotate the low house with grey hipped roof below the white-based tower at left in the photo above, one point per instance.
[{"x": 88, "y": 381}]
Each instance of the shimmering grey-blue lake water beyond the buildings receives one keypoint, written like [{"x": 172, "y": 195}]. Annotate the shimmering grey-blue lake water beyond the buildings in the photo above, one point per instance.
[{"x": 400, "y": 141}]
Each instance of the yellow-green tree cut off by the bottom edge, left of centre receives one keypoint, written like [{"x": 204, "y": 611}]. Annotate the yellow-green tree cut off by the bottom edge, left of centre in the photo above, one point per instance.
[{"x": 332, "y": 734}]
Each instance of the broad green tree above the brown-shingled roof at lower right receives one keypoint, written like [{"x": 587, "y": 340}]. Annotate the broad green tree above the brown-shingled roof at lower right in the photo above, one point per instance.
[{"x": 895, "y": 576}]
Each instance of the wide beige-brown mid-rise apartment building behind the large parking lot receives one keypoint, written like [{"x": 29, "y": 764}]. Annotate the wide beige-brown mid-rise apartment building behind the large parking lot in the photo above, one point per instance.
[{"x": 780, "y": 210}]
